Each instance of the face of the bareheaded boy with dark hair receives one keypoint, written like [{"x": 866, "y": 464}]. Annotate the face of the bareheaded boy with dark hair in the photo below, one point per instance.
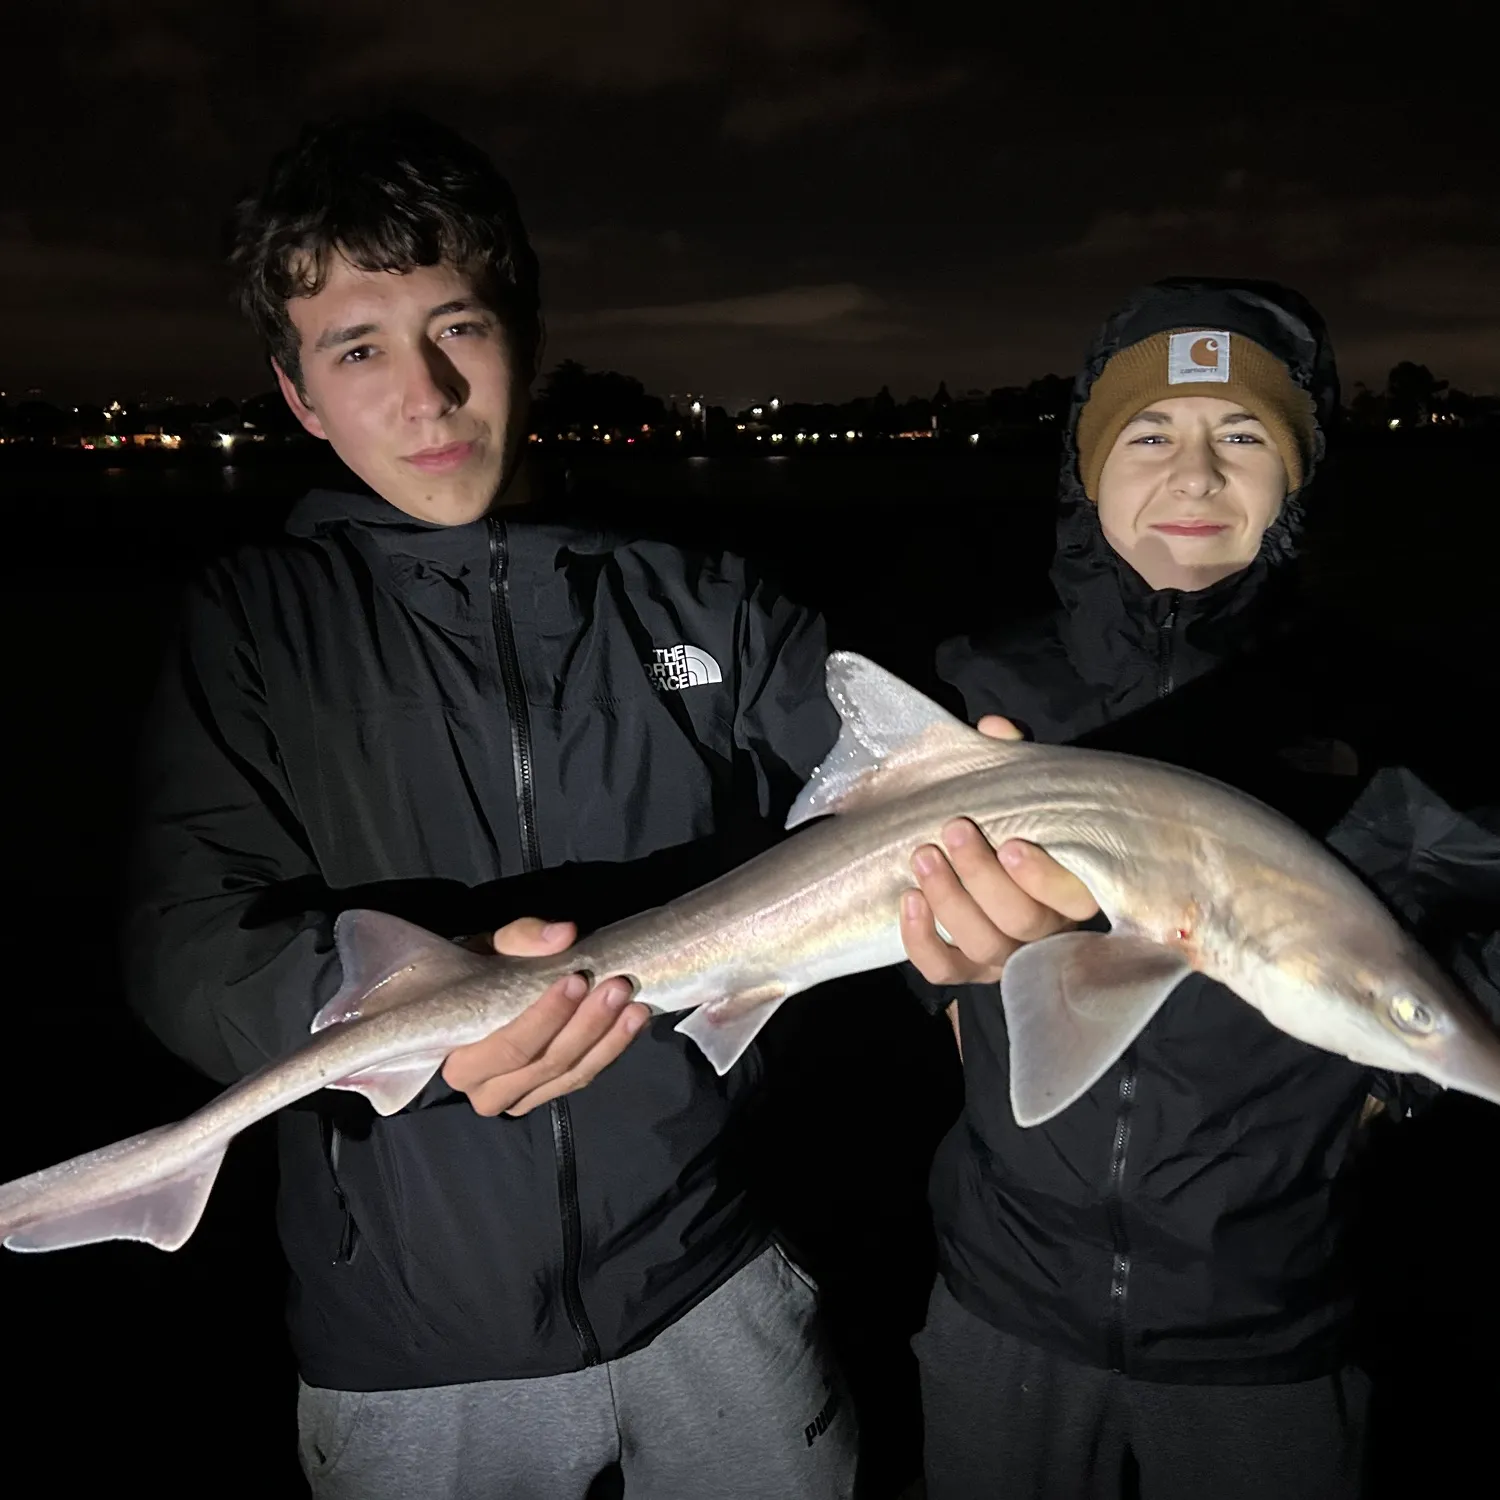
[{"x": 415, "y": 383}]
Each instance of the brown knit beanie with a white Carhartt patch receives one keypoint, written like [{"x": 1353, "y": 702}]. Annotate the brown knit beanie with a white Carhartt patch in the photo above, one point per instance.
[{"x": 1196, "y": 362}]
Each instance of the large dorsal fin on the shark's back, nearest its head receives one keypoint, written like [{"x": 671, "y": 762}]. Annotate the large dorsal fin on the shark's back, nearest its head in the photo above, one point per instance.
[{"x": 892, "y": 742}]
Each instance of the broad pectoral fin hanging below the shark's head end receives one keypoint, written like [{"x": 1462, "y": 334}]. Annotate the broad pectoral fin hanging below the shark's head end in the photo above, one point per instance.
[{"x": 1073, "y": 1004}]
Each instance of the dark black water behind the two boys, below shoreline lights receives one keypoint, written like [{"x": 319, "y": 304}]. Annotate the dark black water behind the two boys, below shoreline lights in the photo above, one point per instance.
[{"x": 137, "y": 1369}]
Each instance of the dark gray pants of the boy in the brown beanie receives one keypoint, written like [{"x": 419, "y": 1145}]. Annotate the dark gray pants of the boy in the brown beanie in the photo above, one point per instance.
[{"x": 1007, "y": 1421}]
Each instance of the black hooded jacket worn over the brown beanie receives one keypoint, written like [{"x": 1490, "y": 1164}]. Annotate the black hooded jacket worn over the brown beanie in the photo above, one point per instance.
[{"x": 1184, "y": 1222}]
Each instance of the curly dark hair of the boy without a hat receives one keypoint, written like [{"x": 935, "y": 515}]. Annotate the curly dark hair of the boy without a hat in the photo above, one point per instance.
[{"x": 388, "y": 193}]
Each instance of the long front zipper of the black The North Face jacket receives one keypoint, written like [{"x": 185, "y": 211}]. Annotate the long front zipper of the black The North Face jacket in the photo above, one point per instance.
[{"x": 532, "y": 862}]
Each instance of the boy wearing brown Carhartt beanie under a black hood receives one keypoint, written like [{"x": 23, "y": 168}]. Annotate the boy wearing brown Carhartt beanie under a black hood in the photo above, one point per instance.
[{"x": 1150, "y": 1295}]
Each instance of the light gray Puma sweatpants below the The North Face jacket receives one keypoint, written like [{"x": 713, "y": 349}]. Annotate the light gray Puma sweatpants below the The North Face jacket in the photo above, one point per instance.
[{"x": 737, "y": 1400}]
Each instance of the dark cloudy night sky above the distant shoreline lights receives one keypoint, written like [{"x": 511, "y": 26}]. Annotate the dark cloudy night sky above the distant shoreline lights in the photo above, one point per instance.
[{"x": 811, "y": 199}]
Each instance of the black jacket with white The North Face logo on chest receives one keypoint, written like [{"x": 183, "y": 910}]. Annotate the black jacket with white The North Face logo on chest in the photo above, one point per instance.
[{"x": 461, "y": 727}]
